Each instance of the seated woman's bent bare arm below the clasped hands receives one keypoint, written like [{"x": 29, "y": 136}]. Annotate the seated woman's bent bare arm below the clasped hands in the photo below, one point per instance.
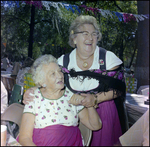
[{"x": 90, "y": 118}]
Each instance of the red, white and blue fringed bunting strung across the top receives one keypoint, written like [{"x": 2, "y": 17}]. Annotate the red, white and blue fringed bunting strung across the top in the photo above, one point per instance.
[{"x": 126, "y": 17}]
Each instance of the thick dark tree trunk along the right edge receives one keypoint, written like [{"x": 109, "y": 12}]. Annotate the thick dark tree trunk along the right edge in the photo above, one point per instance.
[{"x": 142, "y": 63}]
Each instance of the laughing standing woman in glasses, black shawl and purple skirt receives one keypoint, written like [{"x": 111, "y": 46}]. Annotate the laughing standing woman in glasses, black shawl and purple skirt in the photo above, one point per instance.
[{"x": 103, "y": 89}]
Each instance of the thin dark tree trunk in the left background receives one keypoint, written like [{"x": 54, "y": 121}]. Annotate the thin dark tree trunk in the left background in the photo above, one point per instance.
[{"x": 30, "y": 48}]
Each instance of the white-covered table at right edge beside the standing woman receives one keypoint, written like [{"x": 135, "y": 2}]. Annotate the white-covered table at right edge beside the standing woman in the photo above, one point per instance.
[{"x": 135, "y": 106}]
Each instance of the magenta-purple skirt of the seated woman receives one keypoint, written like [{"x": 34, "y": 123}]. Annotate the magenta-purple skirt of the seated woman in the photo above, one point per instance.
[{"x": 57, "y": 135}]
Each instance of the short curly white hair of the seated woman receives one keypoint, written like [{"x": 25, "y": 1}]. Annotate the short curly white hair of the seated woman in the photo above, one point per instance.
[{"x": 38, "y": 74}]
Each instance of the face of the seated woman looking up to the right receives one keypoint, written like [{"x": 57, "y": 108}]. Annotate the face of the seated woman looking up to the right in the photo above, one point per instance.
[{"x": 54, "y": 77}]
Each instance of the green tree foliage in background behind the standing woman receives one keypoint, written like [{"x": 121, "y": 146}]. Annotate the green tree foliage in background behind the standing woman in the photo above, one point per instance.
[{"x": 51, "y": 28}]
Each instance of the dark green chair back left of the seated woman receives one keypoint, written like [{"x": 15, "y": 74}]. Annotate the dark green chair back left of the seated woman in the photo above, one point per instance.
[{"x": 16, "y": 94}]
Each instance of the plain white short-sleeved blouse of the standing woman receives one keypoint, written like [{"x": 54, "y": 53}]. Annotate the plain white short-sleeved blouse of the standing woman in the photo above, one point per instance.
[{"x": 88, "y": 84}]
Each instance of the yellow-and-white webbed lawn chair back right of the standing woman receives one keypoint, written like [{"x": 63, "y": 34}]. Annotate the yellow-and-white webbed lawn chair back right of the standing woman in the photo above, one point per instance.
[{"x": 131, "y": 84}]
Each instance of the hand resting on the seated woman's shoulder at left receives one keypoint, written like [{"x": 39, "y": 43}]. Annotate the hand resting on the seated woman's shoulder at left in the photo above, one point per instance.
[{"x": 28, "y": 95}]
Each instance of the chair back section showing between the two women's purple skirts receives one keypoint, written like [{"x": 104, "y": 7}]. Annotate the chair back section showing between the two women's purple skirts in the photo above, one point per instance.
[{"x": 86, "y": 134}]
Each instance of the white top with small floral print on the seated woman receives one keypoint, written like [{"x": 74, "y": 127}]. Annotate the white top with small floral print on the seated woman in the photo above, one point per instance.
[{"x": 51, "y": 112}]
